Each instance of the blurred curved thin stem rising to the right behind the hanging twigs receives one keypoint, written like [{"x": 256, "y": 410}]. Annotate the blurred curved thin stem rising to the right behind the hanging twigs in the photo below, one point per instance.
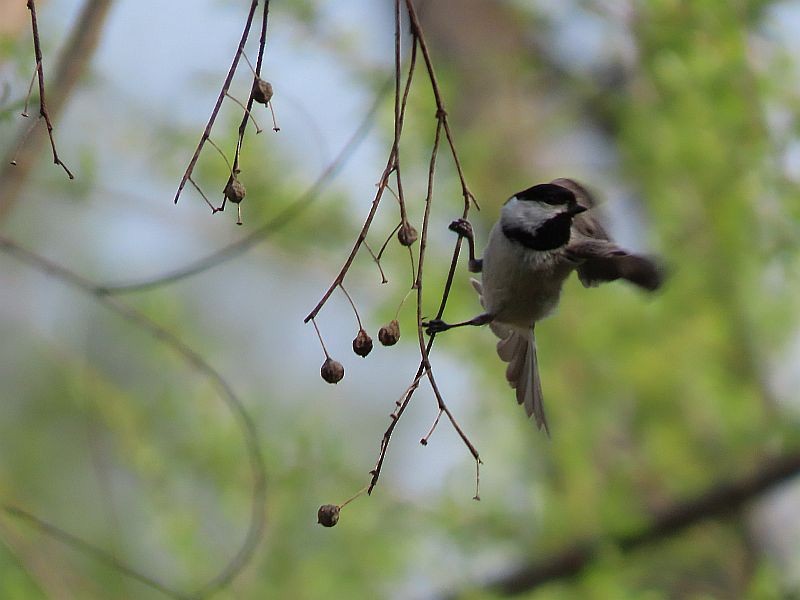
[{"x": 282, "y": 219}]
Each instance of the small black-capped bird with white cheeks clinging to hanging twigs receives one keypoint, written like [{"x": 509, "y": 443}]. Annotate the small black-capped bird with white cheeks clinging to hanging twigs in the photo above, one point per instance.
[{"x": 544, "y": 233}]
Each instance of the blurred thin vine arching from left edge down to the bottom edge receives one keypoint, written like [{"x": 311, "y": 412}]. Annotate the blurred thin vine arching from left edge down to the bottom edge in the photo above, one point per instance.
[{"x": 256, "y": 523}]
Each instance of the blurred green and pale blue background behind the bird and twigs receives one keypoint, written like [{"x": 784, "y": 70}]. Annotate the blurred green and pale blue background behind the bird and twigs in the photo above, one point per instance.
[{"x": 681, "y": 116}]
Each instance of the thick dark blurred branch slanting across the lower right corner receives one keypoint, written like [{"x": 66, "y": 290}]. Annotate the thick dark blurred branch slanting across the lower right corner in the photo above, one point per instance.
[{"x": 717, "y": 502}]
